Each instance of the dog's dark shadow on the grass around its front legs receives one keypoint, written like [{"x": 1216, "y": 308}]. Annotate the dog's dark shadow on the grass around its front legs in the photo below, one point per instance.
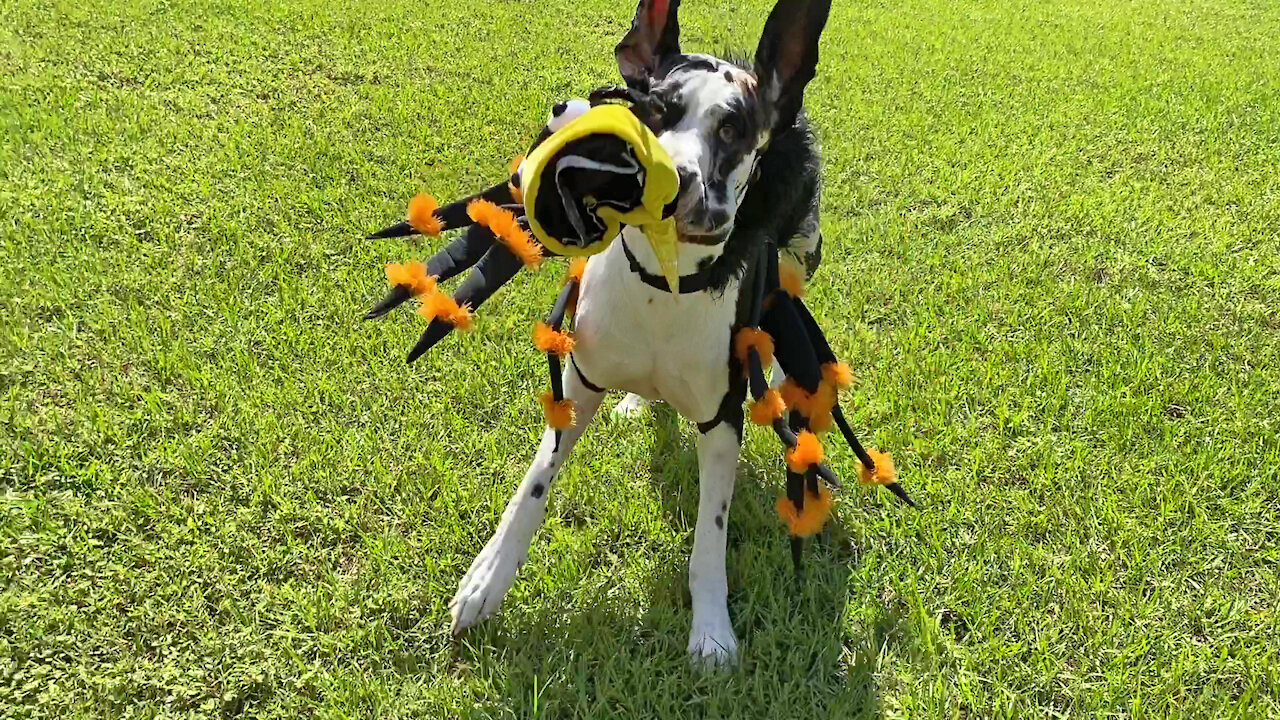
[{"x": 801, "y": 653}]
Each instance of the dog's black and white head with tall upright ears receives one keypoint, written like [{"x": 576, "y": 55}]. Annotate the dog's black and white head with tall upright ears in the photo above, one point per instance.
[{"x": 717, "y": 116}]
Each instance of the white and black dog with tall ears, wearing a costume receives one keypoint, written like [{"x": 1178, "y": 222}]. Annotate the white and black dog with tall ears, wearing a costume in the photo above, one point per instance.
[{"x": 749, "y": 174}]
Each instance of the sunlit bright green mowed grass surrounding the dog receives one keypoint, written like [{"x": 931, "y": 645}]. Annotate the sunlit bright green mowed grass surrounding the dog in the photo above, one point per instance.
[{"x": 1053, "y": 262}]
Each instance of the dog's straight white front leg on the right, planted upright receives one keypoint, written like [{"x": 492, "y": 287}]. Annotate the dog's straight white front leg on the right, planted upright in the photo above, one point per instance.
[{"x": 712, "y": 636}]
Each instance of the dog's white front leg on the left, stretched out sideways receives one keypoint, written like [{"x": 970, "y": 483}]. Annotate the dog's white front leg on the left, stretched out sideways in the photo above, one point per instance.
[{"x": 493, "y": 571}]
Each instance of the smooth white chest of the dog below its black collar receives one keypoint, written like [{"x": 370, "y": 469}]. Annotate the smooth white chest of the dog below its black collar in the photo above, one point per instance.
[{"x": 637, "y": 339}]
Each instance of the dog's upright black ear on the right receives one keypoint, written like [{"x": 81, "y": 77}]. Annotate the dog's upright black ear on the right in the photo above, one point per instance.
[{"x": 788, "y": 58}]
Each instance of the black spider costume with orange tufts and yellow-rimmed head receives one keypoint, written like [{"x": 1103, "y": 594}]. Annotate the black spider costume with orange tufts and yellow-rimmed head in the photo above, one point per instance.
[{"x": 595, "y": 168}]
